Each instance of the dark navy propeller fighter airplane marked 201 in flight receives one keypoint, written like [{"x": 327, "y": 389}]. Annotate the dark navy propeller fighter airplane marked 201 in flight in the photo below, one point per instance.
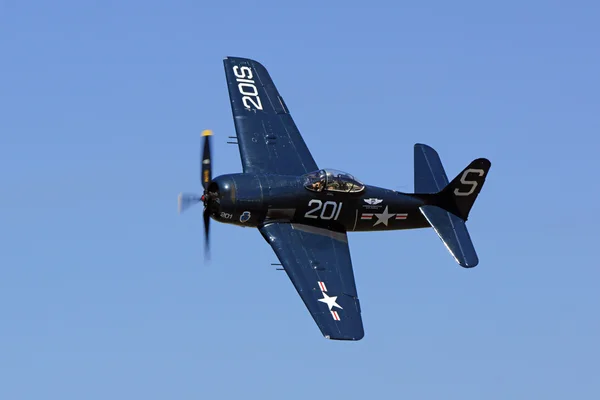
[{"x": 305, "y": 212}]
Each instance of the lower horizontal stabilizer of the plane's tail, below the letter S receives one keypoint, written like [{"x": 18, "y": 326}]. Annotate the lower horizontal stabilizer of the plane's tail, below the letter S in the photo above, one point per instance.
[{"x": 453, "y": 232}]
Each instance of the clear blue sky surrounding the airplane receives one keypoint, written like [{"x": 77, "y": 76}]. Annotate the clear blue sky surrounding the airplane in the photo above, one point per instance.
[{"x": 103, "y": 290}]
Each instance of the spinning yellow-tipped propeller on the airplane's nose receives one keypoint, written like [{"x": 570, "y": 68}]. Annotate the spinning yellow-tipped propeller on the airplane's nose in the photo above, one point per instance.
[{"x": 186, "y": 200}]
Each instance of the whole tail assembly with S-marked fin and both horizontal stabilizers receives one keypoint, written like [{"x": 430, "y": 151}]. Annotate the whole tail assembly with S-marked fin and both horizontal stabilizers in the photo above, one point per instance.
[{"x": 450, "y": 203}]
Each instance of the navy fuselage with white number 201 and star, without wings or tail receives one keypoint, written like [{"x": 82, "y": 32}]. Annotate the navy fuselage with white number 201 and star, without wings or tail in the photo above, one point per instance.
[{"x": 251, "y": 200}]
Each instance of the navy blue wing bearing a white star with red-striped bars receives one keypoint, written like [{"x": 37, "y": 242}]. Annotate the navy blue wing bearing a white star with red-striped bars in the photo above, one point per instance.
[{"x": 318, "y": 263}]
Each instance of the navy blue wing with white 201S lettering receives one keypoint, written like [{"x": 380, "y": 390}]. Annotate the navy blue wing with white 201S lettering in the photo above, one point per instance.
[{"x": 268, "y": 138}]
